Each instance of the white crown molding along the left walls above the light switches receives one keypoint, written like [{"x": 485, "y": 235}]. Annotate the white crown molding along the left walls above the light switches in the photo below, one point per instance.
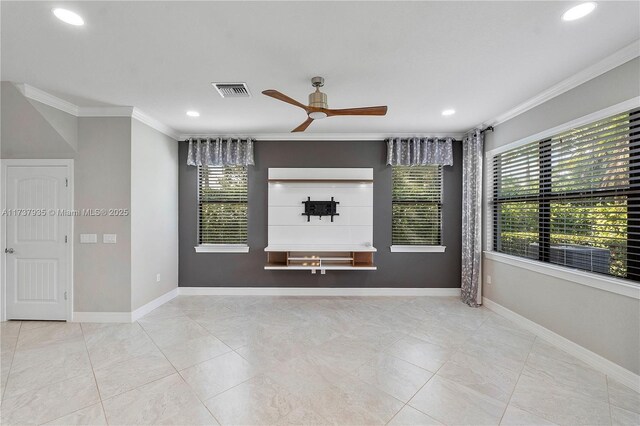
[{"x": 43, "y": 97}]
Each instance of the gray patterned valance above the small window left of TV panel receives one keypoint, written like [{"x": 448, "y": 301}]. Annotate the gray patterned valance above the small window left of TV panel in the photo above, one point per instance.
[{"x": 220, "y": 152}]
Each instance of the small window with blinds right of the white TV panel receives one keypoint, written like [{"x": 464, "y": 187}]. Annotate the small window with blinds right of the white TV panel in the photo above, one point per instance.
[{"x": 417, "y": 205}]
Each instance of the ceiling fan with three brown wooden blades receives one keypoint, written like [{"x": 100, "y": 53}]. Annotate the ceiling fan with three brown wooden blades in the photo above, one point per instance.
[{"x": 317, "y": 108}]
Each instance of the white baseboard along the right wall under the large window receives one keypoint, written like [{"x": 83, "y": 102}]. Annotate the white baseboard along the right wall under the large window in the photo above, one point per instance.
[{"x": 610, "y": 368}]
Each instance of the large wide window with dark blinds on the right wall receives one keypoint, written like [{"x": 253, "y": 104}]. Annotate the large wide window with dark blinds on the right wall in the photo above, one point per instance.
[{"x": 573, "y": 199}]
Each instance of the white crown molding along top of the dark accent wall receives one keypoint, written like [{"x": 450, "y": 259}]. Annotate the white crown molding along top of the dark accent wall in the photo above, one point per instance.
[{"x": 363, "y": 137}]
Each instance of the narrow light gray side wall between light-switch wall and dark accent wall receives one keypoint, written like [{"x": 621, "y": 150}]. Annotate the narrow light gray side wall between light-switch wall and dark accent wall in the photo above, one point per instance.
[{"x": 154, "y": 214}]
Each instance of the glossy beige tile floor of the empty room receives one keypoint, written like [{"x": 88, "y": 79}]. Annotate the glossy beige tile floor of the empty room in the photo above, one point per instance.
[{"x": 285, "y": 360}]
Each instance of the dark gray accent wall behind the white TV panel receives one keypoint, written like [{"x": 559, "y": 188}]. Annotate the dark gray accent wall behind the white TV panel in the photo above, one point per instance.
[{"x": 433, "y": 270}]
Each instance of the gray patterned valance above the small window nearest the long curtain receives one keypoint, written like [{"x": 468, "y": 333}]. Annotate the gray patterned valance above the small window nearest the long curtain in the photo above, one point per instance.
[{"x": 419, "y": 151}]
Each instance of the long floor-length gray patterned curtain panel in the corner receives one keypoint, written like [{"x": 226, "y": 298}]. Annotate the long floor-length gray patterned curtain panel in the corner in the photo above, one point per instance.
[{"x": 472, "y": 152}]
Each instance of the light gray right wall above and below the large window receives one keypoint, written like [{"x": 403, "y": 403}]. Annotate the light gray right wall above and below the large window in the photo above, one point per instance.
[{"x": 603, "y": 322}]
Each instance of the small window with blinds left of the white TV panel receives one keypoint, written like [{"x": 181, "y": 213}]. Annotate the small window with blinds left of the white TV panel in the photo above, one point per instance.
[{"x": 222, "y": 205}]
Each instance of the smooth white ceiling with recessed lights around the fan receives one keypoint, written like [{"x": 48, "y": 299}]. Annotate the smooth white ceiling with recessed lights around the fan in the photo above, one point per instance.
[{"x": 481, "y": 58}]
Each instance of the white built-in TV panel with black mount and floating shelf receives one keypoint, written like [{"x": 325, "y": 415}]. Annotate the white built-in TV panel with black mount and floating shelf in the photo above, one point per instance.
[{"x": 320, "y": 219}]
